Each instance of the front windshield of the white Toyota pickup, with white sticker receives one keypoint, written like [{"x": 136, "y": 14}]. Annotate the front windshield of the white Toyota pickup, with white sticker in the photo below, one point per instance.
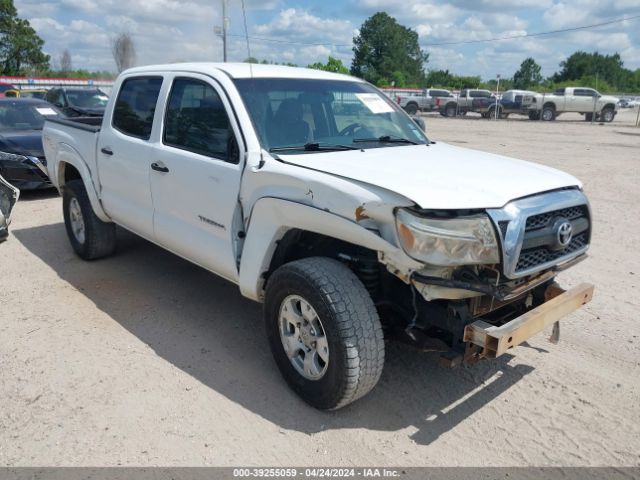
[{"x": 297, "y": 112}]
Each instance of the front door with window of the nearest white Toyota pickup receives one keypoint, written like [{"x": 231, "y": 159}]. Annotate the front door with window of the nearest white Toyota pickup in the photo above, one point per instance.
[{"x": 196, "y": 179}]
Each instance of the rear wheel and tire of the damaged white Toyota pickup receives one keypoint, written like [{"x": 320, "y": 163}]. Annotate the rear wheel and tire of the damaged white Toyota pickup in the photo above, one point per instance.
[{"x": 90, "y": 237}]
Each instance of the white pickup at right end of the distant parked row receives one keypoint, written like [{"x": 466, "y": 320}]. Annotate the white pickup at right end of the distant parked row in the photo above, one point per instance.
[{"x": 586, "y": 101}]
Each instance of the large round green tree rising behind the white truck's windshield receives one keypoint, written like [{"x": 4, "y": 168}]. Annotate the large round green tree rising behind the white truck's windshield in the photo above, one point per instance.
[{"x": 385, "y": 47}]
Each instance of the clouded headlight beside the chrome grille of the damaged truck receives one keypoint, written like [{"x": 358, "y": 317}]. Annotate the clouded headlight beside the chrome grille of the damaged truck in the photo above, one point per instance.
[{"x": 447, "y": 242}]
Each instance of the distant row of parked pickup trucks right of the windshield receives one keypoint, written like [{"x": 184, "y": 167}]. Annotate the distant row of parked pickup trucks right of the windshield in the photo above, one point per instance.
[{"x": 586, "y": 101}]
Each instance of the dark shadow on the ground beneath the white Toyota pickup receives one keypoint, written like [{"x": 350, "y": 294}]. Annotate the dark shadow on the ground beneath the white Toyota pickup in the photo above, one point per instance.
[{"x": 202, "y": 325}]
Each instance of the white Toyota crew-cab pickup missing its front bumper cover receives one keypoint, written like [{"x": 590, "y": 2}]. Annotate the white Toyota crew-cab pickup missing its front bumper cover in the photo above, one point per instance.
[{"x": 349, "y": 224}]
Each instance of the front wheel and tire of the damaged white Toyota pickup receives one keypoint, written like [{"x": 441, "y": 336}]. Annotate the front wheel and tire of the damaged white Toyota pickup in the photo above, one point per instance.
[{"x": 324, "y": 332}]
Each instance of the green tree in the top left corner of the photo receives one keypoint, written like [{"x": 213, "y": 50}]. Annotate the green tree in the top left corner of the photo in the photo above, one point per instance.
[{"x": 20, "y": 46}]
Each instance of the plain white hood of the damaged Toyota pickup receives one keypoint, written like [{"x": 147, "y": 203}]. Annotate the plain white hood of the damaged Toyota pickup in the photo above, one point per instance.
[{"x": 440, "y": 176}]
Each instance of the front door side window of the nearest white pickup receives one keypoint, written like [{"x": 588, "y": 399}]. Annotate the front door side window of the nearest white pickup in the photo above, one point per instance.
[{"x": 197, "y": 121}]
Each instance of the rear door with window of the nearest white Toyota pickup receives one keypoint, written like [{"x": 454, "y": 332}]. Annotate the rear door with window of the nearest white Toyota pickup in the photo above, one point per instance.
[{"x": 125, "y": 148}]
